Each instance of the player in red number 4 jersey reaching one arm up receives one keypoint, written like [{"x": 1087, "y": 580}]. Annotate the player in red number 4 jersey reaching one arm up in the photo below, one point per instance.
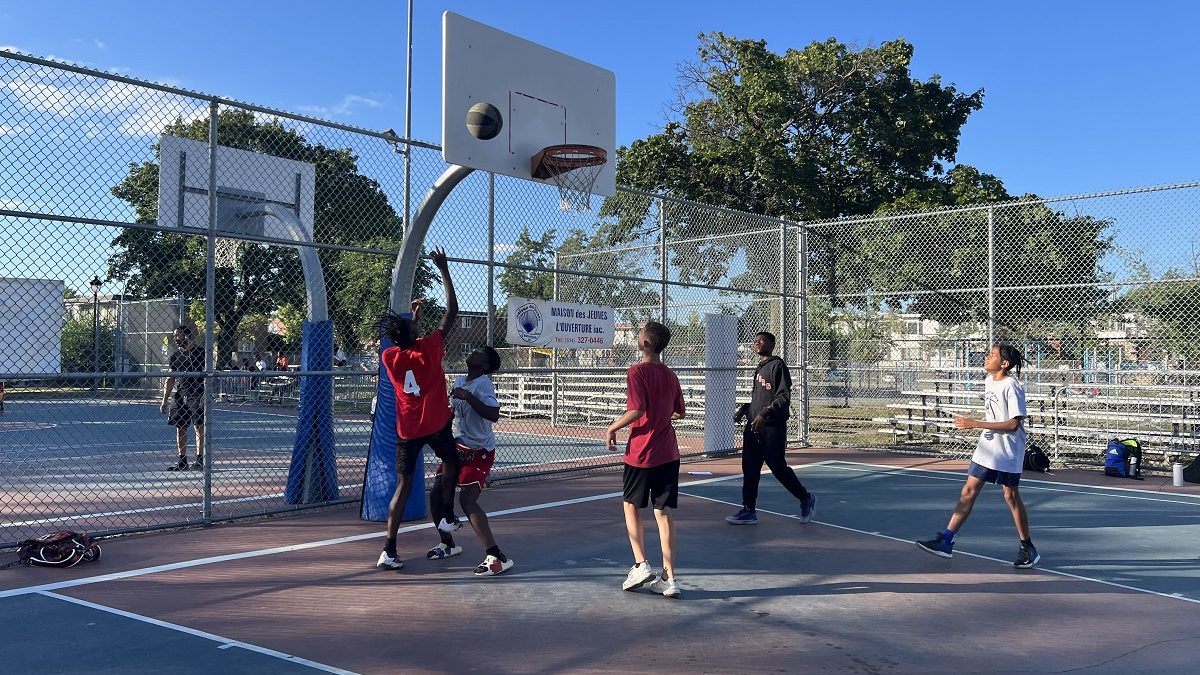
[{"x": 423, "y": 409}]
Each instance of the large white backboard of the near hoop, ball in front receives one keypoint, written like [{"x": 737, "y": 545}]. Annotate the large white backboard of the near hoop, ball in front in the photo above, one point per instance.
[{"x": 544, "y": 97}]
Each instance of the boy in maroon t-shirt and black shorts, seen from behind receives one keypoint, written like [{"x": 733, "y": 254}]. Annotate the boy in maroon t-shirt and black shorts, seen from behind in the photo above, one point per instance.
[{"x": 653, "y": 399}]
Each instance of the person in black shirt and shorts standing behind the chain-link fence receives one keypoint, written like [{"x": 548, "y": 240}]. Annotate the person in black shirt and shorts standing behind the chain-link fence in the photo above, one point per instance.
[{"x": 187, "y": 408}]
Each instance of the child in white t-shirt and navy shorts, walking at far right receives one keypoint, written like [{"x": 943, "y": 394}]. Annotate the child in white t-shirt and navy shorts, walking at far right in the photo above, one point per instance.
[{"x": 999, "y": 457}]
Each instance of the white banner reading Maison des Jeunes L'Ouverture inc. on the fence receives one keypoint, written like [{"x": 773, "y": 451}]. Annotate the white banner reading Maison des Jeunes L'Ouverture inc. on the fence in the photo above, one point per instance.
[{"x": 549, "y": 324}]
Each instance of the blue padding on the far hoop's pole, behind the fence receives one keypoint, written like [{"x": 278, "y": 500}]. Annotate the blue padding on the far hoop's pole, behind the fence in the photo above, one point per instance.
[{"x": 313, "y": 477}]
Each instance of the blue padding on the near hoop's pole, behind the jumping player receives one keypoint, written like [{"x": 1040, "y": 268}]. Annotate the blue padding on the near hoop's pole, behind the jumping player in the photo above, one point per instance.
[{"x": 380, "y": 482}]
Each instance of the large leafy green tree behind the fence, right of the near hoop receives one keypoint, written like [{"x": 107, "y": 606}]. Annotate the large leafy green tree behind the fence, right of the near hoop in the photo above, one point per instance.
[{"x": 826, "y": 133}]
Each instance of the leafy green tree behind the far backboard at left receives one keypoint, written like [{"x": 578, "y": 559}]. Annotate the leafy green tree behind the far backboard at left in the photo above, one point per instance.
[{"x": 351, "y": 210}]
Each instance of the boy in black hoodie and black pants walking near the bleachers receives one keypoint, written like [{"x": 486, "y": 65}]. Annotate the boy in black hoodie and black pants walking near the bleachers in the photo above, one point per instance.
[{"x": 765, "y": 439}]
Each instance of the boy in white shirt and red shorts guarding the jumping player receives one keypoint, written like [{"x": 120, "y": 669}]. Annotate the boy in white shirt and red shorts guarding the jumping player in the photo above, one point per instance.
[{"x": 476, "y": 409}]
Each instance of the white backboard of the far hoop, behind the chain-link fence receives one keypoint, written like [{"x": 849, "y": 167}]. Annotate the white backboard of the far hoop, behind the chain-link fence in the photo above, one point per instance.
[{"x": 244, "y": 178}]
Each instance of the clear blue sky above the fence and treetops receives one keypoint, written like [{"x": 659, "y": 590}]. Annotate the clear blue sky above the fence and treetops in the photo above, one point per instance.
[{"x": 1079, "y": 97}]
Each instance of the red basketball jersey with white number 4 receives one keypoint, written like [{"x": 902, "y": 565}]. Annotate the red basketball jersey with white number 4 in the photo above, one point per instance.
[{"x": 423, "y": 407}]
